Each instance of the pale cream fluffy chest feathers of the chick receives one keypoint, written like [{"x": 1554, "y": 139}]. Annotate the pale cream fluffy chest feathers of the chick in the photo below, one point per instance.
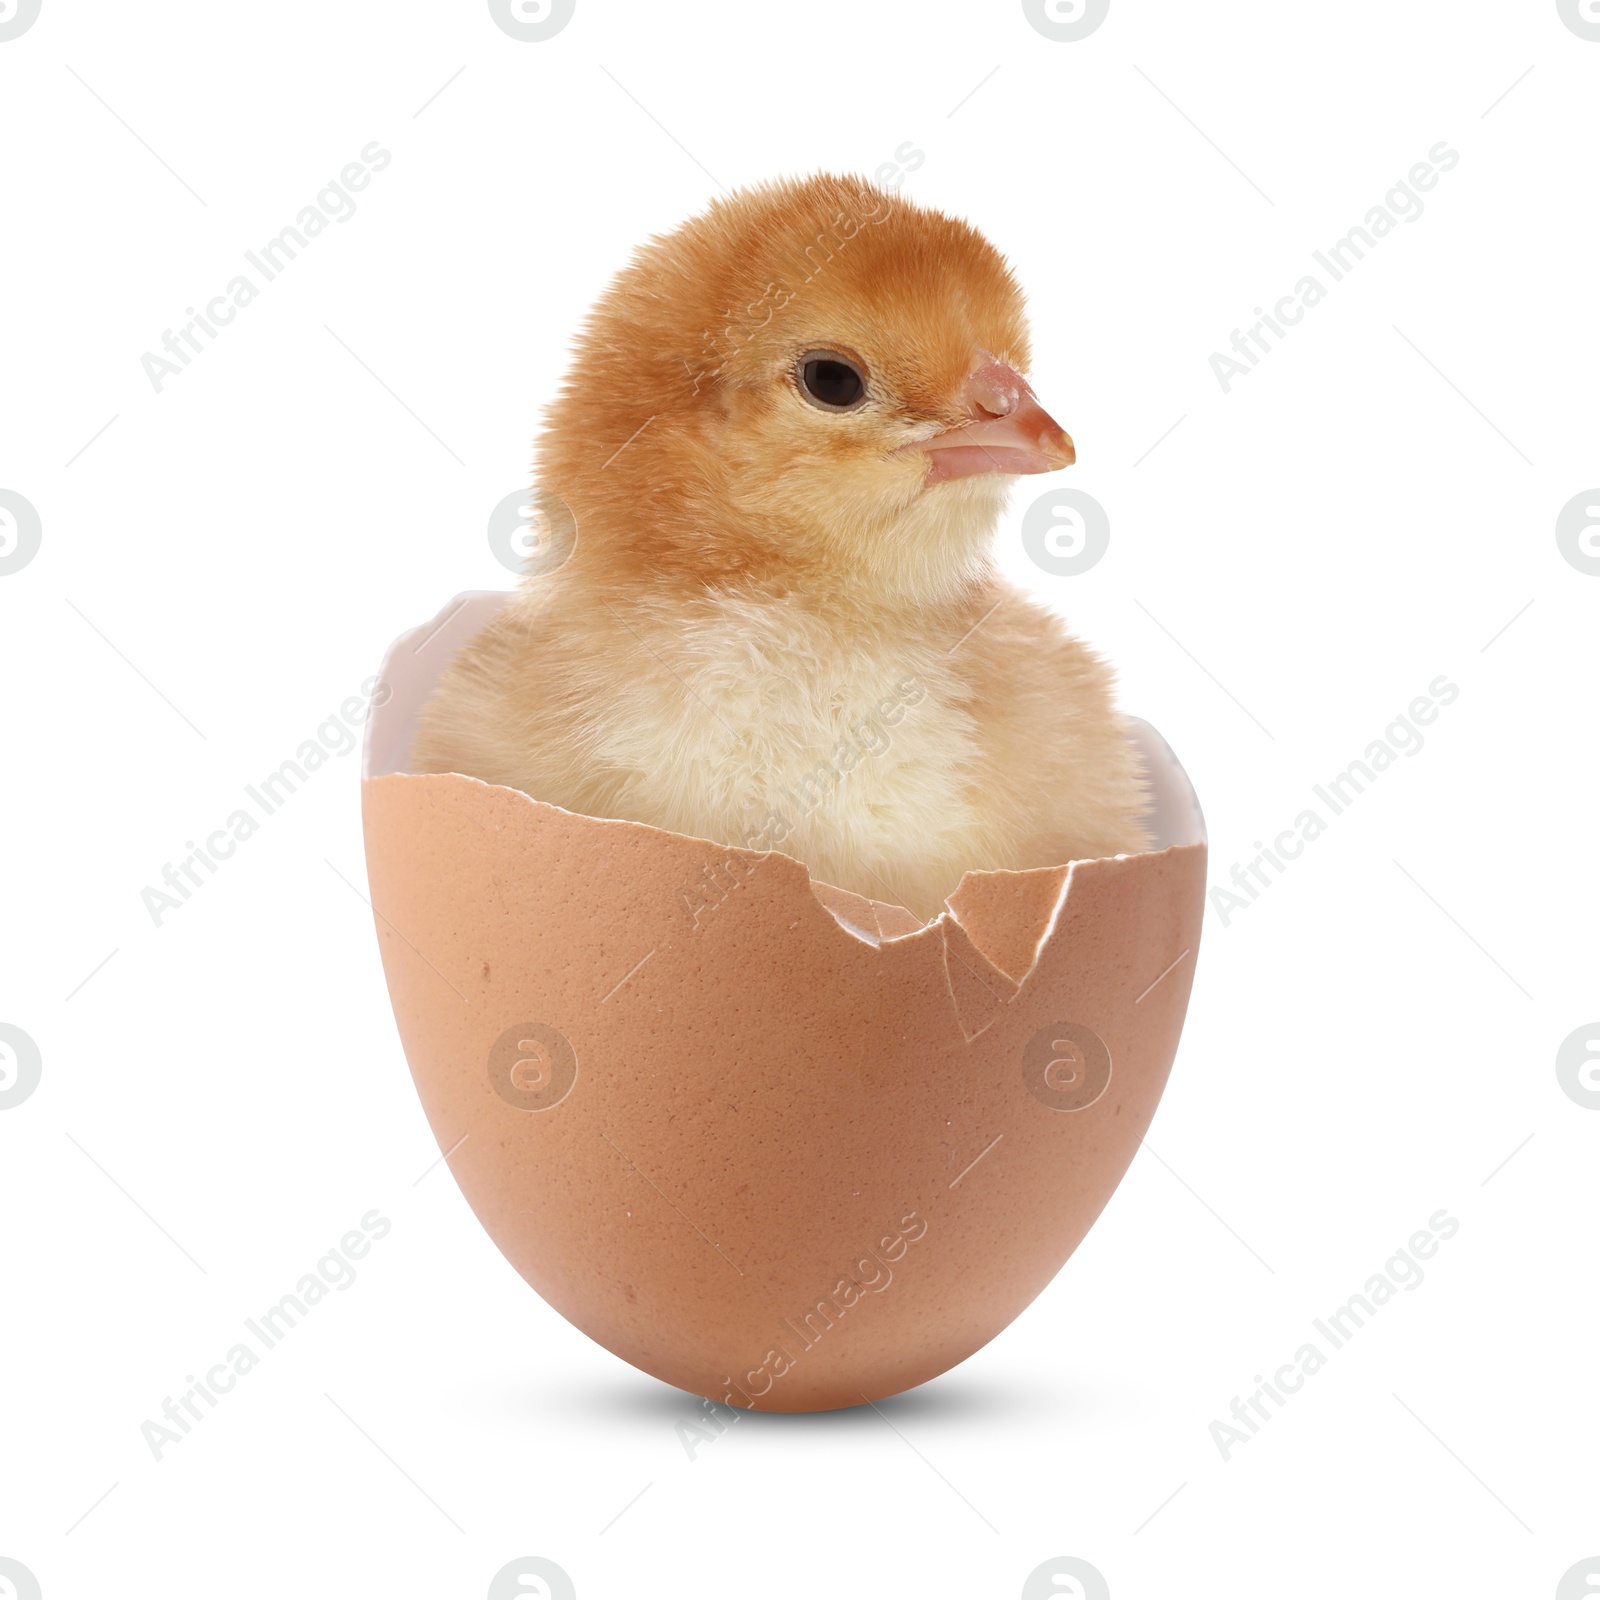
[{"x": 764, "y": 726}]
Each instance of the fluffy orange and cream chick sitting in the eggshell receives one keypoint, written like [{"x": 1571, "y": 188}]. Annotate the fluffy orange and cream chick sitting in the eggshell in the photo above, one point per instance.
[{"x": 786, "y": 438}]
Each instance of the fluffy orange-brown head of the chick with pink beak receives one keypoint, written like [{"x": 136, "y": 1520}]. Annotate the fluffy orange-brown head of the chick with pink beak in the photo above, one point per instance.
[{"x": 809, "y": 380}]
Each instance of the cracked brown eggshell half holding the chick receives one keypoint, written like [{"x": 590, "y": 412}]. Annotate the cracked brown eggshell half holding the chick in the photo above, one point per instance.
[{"x": 809, "y": 1153}]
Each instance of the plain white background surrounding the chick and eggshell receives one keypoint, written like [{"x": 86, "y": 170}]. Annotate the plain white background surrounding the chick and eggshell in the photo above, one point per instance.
[{"x": 1370, "y": 1042}]
